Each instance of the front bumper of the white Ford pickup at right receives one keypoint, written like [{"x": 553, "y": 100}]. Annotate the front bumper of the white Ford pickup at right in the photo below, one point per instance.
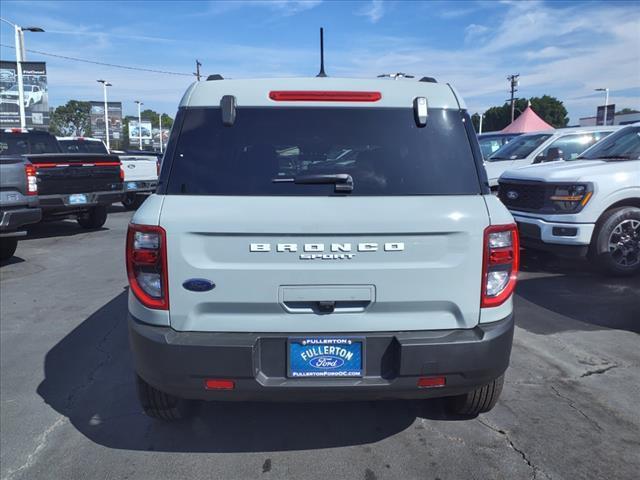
[{"x": 570, "y": 239}]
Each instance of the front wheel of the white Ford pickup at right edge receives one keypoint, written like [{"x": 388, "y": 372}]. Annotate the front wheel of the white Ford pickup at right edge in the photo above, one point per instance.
[{"x": 615, "y": 246}]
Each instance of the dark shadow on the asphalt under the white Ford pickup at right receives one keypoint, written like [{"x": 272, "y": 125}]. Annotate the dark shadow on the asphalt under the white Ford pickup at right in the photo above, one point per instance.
[{"x": 573, "y": 296}]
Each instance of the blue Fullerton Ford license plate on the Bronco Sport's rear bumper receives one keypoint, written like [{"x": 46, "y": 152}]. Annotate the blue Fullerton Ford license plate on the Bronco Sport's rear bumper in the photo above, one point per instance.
[{"x": 323, "y": 362}]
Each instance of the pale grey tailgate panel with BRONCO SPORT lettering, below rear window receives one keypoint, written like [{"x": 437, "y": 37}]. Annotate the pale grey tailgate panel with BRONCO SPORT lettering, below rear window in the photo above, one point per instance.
[{"x": 383, "y": 263}]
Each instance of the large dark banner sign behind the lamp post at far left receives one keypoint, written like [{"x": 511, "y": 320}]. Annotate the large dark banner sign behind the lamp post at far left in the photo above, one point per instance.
[{"x": 36, "y": 98}]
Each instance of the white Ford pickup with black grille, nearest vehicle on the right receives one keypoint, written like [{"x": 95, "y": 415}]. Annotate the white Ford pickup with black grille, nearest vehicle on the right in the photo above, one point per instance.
[{"x": 587, "y": 206}]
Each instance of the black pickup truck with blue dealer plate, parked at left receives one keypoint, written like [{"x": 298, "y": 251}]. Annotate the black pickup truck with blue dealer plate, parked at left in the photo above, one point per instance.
[{"x": 80, "y": 185}]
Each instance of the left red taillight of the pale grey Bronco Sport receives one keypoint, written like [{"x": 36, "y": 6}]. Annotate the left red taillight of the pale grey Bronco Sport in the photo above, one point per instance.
[{"x": 147, "y": 265}]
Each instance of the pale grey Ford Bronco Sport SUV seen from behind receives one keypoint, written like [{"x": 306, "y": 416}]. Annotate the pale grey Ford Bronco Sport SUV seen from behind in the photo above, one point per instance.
[{"x": 321, "y": 239}]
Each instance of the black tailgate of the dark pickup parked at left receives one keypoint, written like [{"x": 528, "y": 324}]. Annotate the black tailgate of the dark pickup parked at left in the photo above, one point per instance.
[{"x": 76, "y": 173}]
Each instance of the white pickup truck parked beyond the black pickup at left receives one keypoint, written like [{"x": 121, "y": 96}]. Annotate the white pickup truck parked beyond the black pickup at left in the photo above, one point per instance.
[{"x": 140, "y": 170}]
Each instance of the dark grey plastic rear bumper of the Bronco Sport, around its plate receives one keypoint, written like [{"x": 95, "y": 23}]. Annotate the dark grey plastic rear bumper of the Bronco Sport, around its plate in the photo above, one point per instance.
[{"x": 179, "y": 362}]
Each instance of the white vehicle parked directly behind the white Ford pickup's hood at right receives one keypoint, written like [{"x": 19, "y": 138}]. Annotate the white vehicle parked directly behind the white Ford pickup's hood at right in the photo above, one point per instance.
[{"x": 541, "y": 147}]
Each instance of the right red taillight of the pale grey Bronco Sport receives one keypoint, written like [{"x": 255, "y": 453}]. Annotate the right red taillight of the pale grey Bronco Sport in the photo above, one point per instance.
[{"x": 500, "y": 264}]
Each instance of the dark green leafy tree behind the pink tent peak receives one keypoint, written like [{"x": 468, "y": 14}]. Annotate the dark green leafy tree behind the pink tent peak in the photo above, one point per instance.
[{"x": 549, "y": 108}]
